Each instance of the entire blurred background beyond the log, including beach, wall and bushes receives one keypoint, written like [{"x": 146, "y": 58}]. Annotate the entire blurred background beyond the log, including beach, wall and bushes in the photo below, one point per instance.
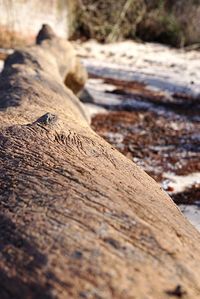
[{"x": 143, "y": 90}]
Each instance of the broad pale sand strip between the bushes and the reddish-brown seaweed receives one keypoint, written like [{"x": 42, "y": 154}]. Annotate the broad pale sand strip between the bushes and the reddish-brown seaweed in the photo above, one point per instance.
[{"x": 160, "y": 67}]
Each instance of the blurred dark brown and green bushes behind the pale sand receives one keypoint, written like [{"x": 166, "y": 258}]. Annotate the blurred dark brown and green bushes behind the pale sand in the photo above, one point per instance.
[{"x": 166, "y": 21}]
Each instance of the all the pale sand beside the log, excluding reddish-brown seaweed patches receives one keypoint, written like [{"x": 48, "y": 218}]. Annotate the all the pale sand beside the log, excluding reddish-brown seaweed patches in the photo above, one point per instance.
[{"x": 159, "y": 71}]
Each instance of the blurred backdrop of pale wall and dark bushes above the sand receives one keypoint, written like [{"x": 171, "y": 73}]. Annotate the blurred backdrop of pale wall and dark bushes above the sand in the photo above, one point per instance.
[{"x": 173, "y": 22}]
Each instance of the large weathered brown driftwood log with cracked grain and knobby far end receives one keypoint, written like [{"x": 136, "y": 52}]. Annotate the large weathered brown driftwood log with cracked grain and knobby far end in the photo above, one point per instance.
[{"x": 78, "y": 219}]
